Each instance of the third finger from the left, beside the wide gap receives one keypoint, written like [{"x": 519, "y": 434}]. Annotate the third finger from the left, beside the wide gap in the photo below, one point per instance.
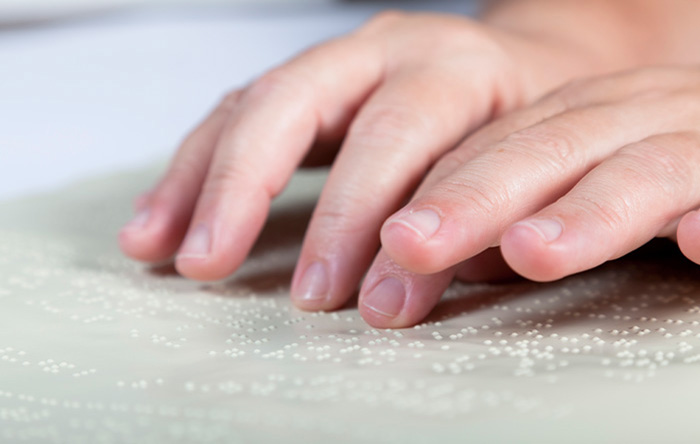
[{"x": 397, "y": 135}]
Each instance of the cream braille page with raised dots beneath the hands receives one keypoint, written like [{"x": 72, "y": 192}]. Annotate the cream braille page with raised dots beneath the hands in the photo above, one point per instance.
[{"x": 96, "y": 348}]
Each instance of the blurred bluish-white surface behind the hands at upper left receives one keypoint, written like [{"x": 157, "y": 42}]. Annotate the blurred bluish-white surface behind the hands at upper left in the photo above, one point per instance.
[{"x": 101, "y": 92}]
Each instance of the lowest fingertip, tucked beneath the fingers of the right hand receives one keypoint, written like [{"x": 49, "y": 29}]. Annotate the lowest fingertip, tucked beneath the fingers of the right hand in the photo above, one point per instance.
[{"x": 392, "y": 297}]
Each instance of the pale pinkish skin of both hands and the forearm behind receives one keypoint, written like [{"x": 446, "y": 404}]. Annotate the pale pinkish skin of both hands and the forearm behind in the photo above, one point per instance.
[{"x": 448, "y": 114}]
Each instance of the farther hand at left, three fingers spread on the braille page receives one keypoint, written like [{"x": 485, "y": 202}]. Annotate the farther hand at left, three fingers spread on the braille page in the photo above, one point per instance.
[{"x": 397, "y": 94}]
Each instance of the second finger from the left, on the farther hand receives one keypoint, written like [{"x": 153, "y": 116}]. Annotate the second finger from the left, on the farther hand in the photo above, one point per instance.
[{"x": 264, "y": 140}]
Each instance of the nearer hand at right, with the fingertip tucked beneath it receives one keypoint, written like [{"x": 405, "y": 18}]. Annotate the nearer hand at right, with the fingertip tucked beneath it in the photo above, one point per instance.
[{"x": 585, "y": 175}]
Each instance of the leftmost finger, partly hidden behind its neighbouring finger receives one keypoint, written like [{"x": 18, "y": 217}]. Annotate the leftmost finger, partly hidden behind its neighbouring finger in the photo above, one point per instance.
[{"x": 163, "y": 214}]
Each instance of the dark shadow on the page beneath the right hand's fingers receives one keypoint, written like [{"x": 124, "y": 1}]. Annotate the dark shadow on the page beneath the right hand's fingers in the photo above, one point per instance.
[{"x": 653, "y": 285}]
